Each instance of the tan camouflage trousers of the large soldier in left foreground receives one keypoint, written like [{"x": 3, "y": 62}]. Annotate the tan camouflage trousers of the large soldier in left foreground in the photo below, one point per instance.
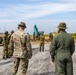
[{"x": 20, "y": 64}]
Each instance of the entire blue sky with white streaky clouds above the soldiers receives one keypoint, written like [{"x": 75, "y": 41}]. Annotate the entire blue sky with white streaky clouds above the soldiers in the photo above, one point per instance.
[{"x": 46, "y": 14}]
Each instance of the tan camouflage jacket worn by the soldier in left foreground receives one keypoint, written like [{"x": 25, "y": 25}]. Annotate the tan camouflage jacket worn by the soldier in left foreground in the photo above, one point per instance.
[{"x": 19, "y": 39}]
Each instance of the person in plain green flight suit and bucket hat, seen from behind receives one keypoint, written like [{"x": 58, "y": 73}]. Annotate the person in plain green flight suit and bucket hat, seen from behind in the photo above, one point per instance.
[{"x": 61, "y": 50}]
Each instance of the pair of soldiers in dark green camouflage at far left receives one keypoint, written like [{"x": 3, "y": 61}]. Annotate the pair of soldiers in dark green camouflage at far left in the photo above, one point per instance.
[{"x": 7, "y": 50}]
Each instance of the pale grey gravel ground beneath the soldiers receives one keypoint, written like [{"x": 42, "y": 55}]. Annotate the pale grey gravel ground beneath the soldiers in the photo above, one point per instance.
[{"x": 39, "y": 64}]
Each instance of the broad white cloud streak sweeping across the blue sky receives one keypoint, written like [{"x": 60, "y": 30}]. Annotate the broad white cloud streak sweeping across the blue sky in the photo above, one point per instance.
[{"x": 23, "y": 12}]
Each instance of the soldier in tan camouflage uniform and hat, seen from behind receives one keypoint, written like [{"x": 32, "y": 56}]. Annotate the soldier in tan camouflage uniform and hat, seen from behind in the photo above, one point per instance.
[{"x": 21, "y": 50}]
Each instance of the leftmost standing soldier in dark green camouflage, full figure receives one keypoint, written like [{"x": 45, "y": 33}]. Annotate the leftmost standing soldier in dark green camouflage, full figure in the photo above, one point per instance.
[{"x": 5, "y": 45}]
